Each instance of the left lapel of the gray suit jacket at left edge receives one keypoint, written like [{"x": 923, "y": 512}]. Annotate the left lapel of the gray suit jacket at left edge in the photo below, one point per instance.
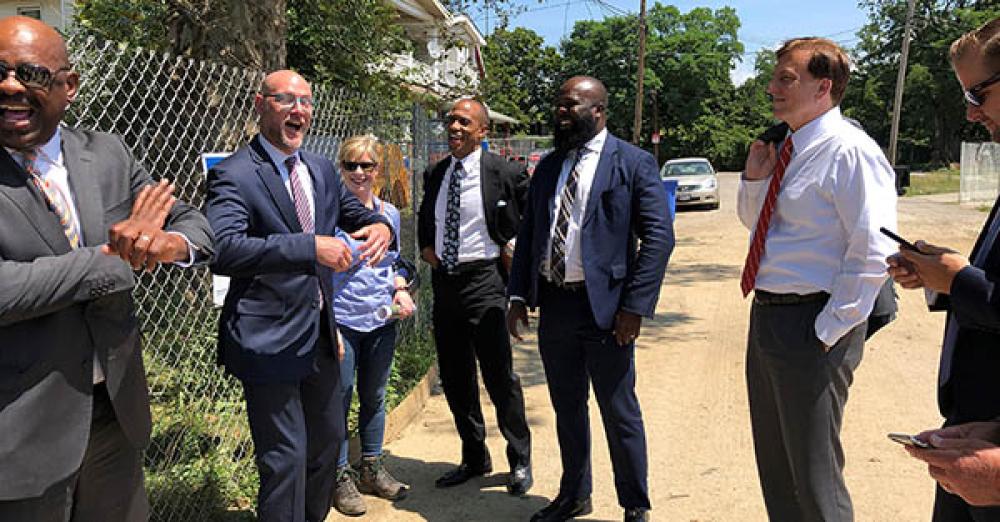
[{"x": 15, "y": 185}]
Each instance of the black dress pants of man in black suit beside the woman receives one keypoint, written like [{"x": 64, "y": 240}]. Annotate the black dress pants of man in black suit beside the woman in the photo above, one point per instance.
[{"x": 469, "y": 324}]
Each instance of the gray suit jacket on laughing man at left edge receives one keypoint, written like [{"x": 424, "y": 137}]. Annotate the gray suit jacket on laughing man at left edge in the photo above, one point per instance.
[{"x": 58, "y": 305}]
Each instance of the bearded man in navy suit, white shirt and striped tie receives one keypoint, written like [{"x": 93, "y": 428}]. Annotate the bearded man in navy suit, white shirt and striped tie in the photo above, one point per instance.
[{"x": 580, "y": 260}]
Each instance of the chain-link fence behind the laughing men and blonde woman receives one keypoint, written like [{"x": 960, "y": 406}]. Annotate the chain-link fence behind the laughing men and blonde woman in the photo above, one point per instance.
[{"x": 170, "y": 110}]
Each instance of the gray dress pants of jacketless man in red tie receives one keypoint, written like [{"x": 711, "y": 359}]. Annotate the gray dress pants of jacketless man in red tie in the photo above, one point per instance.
[{"x": 797, "y": 394}]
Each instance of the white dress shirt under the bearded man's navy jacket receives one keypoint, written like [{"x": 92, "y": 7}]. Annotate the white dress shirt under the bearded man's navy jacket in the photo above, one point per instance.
[{"x": 589, "y": 155}]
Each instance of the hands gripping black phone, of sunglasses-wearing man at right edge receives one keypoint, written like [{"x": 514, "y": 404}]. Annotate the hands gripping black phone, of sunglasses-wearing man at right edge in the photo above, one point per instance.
[{"x": 933, "y": 267}]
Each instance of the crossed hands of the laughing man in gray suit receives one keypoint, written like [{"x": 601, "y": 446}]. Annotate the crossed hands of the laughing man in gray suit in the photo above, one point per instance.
[{"x": 140, "y": 240}]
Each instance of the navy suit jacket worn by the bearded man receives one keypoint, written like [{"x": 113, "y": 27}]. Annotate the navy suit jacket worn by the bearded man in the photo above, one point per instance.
[{"x": 627, "y": 203}]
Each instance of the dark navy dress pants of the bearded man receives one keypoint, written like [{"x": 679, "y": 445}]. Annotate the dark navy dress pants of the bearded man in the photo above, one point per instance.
[{"x": 576, "y": 353}]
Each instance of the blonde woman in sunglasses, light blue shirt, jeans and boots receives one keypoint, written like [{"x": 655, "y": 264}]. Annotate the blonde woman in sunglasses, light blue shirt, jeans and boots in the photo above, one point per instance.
[{"x": 368, "y": 332}]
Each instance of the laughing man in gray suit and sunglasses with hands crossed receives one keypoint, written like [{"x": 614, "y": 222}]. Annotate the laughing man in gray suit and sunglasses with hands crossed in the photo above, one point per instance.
[{"x": 78, "y": 213}]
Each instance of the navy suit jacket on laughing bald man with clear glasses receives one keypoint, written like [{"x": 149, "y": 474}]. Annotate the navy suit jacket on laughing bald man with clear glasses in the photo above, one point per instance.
[{"x": 269, "y": 324}]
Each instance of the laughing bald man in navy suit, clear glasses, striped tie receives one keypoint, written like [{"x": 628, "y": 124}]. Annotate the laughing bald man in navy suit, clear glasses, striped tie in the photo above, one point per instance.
[{"x": 274, "y": 209}]
